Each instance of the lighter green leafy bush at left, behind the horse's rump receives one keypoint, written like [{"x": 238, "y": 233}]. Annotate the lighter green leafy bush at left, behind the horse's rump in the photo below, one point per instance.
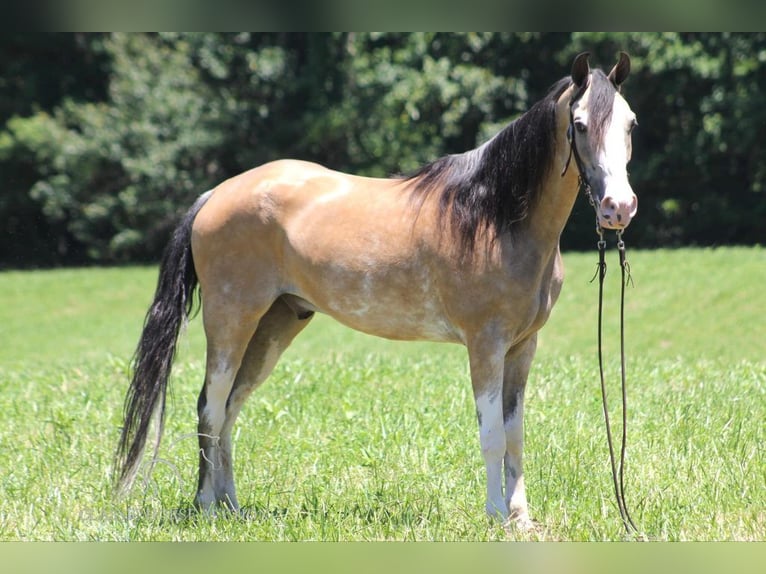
[{"x": 119, "y": 173}]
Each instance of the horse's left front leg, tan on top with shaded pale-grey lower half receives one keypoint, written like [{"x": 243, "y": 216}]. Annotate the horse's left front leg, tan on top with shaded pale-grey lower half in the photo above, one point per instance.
[{"x": 487, "y": 366}]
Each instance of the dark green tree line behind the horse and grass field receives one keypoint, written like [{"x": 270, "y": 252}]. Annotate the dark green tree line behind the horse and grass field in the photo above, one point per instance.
[{"x": 106, "y": 139}]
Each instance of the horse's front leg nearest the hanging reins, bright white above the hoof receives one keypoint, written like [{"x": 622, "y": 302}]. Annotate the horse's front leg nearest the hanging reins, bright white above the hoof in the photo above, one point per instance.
[{"x": 517, "y": 364}]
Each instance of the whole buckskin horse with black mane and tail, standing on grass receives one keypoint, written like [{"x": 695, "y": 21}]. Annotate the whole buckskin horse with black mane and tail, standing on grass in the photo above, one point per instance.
[{"x": 464, "y": 250}]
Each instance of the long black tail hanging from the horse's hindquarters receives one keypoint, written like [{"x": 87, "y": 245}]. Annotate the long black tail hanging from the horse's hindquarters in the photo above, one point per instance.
[{"x": 152, "y": 362}]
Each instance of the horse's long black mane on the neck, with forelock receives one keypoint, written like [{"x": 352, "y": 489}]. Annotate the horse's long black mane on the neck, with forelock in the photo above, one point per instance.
[{"x": 491, "y": 188}]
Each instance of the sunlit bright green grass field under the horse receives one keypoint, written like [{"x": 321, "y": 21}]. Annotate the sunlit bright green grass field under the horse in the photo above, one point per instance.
[{"x": 356, "y": 438}]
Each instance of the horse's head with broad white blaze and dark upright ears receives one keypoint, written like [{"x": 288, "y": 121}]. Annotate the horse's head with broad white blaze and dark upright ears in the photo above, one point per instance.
[{"x": 600, "y": 124}]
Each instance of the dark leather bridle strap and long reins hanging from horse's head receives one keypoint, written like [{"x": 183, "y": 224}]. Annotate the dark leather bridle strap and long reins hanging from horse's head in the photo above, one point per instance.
[{"x": 618, "y": 472}]
